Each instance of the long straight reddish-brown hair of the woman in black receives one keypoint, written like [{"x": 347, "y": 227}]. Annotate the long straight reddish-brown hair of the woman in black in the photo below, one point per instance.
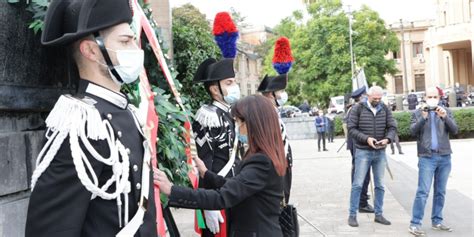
[{"x": 264, "y": 134}]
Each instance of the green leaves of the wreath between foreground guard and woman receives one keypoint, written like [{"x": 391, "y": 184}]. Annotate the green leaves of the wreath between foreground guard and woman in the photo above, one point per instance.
[{"x": 170, "y": 144}]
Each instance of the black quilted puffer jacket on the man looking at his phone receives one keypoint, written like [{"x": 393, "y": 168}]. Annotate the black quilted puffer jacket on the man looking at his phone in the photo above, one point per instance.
[{"x": 362, "y": 124}]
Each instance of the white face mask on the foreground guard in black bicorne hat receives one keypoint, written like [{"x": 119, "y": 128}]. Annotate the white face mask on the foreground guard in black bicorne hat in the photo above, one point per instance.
[{"x": 130, "y": 65}]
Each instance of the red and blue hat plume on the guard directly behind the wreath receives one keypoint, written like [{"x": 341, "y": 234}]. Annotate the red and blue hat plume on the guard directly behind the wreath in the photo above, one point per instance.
[{"x": 226, "y": 34}]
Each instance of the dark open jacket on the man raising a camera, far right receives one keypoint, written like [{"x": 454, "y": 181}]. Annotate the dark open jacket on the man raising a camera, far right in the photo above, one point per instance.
[{"x": 421, "y": 129}]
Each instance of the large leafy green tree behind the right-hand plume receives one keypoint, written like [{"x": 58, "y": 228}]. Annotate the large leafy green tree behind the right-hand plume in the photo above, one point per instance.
[{"x": 320, "y": 46}]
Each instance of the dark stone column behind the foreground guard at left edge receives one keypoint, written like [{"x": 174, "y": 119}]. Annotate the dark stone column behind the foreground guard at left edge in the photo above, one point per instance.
[{"x": 31, "y": 80}]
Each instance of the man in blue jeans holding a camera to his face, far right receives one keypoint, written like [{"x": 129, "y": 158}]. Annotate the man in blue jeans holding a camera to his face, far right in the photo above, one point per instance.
[{"x": 431, "y": 125}]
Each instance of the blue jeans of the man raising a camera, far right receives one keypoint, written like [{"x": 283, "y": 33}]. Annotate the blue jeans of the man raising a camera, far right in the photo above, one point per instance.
[{"x": 439, "y": 167}]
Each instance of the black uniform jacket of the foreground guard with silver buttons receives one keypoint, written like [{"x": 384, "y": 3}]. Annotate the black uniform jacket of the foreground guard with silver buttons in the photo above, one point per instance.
[{"x": 61, "y": 206}]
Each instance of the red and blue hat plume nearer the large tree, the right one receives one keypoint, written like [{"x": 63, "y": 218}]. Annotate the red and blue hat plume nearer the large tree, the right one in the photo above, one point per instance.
[{"x": 282, "y": 58}]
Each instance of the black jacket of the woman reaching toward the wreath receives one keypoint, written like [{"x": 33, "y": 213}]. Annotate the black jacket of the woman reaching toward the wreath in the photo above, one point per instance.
[{"x": 254, "y": 197}]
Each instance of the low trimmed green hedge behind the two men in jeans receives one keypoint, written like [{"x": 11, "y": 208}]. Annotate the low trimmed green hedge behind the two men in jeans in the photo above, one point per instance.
[{"x": 464, "y": 119}]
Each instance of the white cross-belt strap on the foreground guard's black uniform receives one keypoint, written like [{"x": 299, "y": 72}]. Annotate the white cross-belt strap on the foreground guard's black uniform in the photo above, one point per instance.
[{"x": 137, "y": 220}]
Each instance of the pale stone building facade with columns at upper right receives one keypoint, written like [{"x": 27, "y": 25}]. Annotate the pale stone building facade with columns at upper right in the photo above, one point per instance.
[{"x": 439, "y": 51}]
